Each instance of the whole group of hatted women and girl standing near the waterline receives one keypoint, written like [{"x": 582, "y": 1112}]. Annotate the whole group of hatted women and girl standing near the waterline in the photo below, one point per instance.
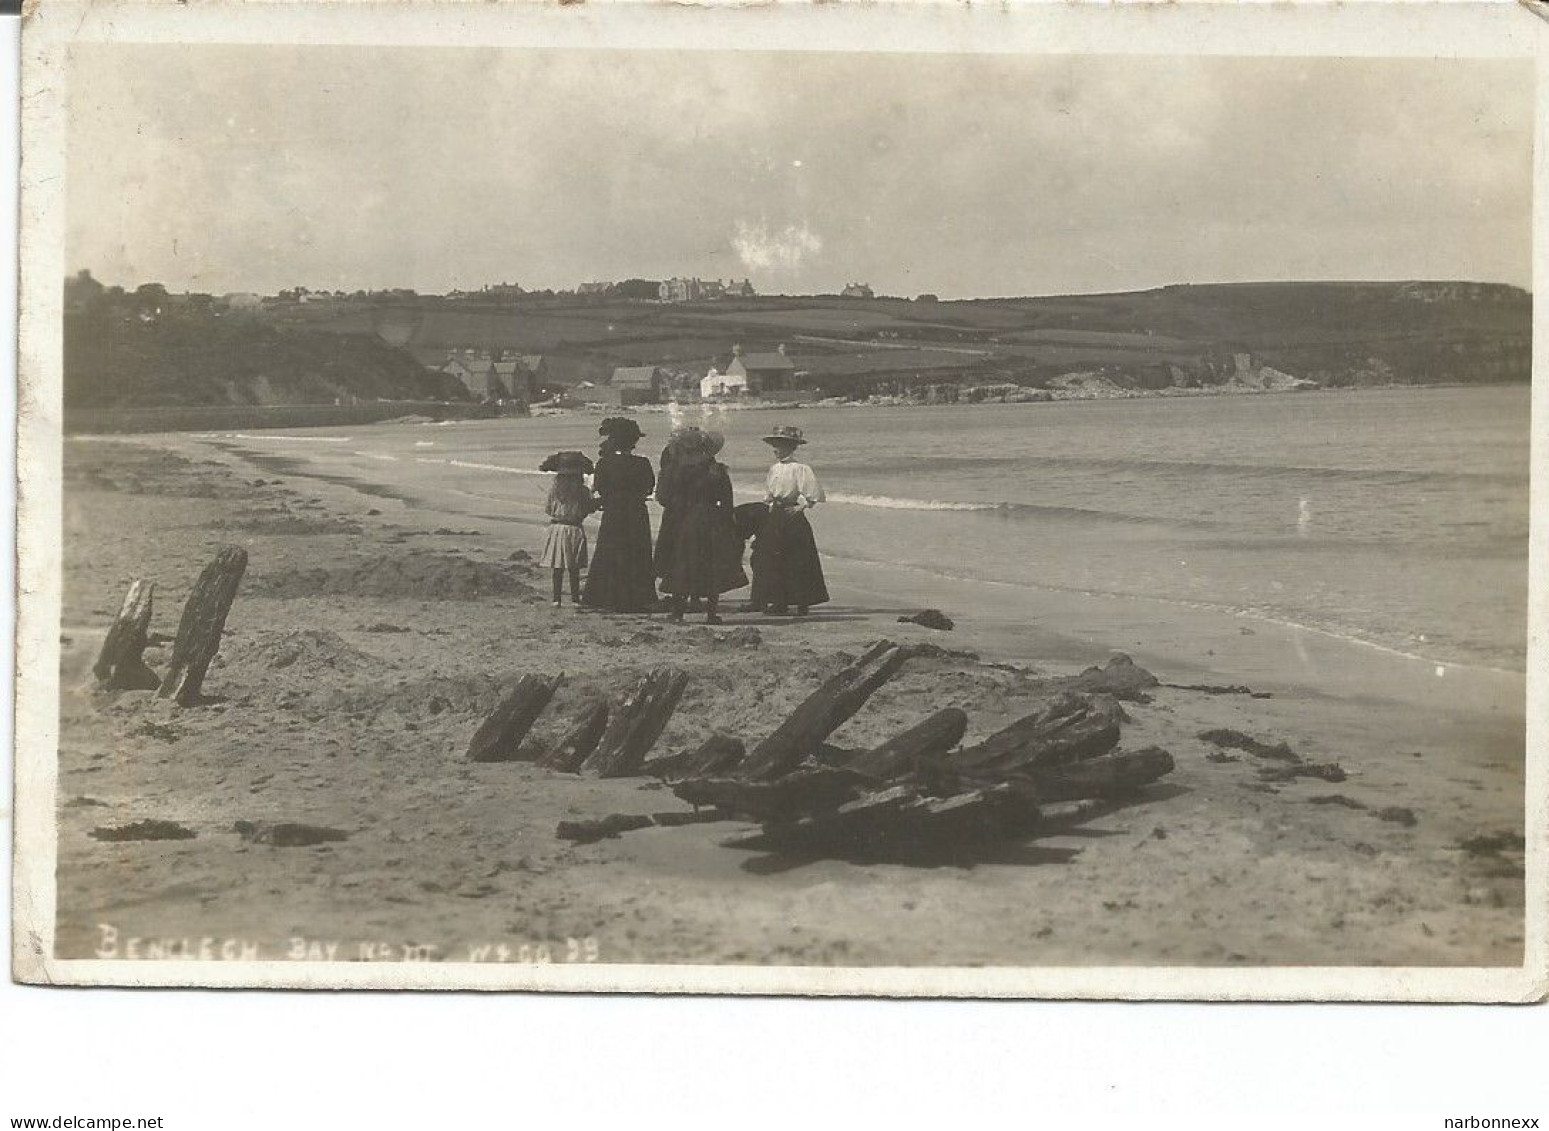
[{"x": 699, "y": 548}]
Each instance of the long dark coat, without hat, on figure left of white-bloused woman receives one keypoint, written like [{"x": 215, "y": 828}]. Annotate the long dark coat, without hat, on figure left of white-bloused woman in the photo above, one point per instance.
[{"x": 704, "y": 555}]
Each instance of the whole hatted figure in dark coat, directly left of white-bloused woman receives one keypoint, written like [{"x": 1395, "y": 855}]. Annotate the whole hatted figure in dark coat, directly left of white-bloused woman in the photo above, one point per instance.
[{"x": 702, "y": 557}]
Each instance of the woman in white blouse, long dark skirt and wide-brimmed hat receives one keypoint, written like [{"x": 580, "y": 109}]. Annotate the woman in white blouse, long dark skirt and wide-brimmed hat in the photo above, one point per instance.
[{"x": 786, "y": 568}]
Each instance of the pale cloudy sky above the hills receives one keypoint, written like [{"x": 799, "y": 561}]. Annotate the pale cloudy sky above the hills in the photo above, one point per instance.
[{"x": 224, "y": 168}]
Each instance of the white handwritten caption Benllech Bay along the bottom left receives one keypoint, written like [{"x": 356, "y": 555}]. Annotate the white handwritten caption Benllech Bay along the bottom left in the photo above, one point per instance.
[{"x": 114, "y": 944}]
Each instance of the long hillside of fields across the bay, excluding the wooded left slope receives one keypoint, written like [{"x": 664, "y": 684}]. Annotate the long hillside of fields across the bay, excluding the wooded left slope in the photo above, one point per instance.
[{"x": 1339, "y": 334}]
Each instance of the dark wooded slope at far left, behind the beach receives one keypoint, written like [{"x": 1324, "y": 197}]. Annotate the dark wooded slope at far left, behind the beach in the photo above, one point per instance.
[{"x": 202, "y": 359}]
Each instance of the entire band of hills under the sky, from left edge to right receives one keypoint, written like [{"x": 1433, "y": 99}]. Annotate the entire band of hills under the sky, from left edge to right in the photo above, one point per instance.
[{"x": 1252, "y": 335}]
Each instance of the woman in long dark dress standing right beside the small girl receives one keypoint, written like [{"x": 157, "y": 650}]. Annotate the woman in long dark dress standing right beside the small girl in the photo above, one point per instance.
[{"x": 622, "y": 579}]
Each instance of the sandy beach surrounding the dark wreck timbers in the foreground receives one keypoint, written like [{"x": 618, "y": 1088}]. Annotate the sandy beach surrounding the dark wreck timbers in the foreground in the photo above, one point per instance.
[{"x": 365, "y": 648}]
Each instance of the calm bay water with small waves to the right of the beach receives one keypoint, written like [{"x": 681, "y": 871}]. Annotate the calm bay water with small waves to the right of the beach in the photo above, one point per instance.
[{"x": 1392, "y": 517}]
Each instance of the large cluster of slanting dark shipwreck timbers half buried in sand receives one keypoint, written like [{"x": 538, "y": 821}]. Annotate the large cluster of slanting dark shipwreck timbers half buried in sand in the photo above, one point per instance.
[{"x": 919, "y": 796}]
